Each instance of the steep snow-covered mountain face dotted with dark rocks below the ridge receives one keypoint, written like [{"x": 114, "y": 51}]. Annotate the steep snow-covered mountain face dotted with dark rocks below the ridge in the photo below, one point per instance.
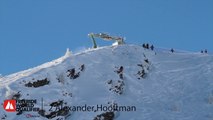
[{"x": 157, "y": 85}]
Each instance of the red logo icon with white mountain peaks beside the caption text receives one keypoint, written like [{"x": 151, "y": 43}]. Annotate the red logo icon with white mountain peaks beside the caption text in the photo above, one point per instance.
[{"x": 10, "y": 105}]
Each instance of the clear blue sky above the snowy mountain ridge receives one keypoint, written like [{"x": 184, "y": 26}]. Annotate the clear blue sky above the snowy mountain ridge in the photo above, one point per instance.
[{"x": 33, "y": 32}]
